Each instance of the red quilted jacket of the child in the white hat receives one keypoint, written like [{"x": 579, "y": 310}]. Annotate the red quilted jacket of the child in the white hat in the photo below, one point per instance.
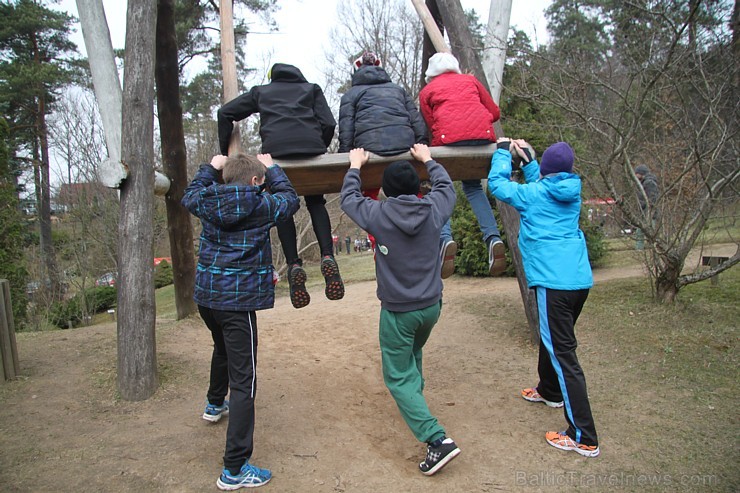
[{"x": 457, "y": 107}]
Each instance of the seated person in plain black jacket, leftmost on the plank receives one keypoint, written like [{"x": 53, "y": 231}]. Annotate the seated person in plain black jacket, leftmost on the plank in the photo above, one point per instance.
[{"x": 295, "y": 122}]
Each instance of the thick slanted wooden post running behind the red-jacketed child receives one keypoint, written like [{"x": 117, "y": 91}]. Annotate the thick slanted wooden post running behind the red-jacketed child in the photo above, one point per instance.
[{"x": 456, "y": 24}]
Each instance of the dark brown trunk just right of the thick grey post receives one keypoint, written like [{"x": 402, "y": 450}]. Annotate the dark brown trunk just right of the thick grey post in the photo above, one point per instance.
[{"x": 174, "y": 158}]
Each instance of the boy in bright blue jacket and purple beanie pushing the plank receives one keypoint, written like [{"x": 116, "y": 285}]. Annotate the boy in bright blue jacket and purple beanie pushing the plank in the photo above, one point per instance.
[{"x": 556, "y": 266}]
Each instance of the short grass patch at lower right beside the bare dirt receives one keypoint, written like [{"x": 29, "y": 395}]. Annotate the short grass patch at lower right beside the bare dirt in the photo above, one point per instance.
[{"x": 667, "y": 373}]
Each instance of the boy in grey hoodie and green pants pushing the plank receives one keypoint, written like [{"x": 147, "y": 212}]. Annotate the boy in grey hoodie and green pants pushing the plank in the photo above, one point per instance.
[{"x": 406, "y": 229}]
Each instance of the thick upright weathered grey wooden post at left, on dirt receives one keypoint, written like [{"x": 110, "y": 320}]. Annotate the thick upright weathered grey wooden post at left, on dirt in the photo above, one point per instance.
[{"x": 137, "y": 361}]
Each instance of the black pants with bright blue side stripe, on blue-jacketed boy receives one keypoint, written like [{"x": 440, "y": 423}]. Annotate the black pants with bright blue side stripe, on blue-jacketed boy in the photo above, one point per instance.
[{"x": 561, "y": 376}]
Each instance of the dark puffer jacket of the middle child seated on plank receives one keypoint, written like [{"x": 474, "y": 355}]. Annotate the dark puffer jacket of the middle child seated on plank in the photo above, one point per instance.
[{"x": 378, "y": 115}]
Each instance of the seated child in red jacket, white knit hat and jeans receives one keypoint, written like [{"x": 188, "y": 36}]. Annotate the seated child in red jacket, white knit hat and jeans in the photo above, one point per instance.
[{"x": 460, "y": 112}]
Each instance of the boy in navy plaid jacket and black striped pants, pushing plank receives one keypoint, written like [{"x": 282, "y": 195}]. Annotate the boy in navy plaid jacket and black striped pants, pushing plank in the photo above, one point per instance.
[{"x": 234, "y": 279}]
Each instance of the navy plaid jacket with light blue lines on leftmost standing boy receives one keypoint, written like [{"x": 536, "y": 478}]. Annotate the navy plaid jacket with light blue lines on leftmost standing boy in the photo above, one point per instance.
[{"x": 234, "y": 271}]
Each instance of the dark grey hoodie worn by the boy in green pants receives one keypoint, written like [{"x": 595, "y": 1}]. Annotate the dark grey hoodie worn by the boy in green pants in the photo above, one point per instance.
[{"x": 406, "y": 230}]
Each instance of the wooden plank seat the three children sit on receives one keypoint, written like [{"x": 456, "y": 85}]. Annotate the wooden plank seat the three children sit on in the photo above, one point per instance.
[{"x": 325, "y": 174}]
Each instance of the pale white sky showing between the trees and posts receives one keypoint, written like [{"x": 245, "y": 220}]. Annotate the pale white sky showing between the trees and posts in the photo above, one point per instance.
[{"x": 303, "y": 29}]
